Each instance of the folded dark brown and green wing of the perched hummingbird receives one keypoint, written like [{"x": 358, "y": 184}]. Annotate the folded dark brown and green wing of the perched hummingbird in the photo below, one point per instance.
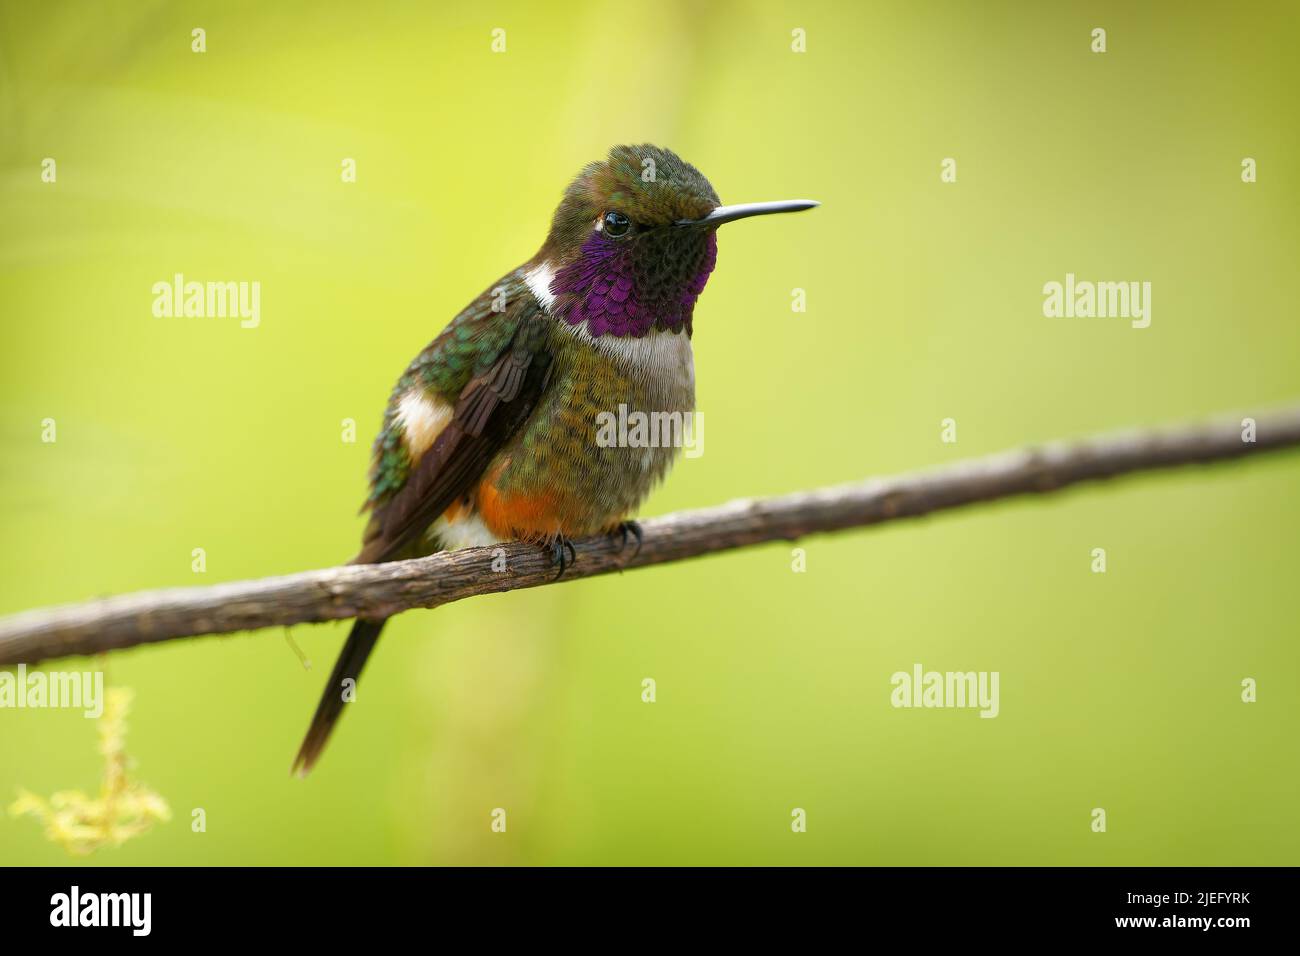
[{"x": 491, "y": 366}]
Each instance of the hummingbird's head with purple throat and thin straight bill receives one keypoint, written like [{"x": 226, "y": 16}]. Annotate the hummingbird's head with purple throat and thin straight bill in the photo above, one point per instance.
[{"x": 634, "y": 243}]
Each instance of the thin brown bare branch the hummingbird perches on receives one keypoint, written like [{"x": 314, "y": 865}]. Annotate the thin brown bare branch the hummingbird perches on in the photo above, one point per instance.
[{"x": 387, "y": 590}]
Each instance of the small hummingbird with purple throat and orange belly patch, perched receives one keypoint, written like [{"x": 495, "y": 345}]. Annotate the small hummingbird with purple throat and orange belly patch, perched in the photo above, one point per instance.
[{"x": 489, "y": 435}]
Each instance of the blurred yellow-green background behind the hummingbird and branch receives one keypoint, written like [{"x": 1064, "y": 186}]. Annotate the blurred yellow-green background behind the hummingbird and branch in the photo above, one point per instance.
[{"x": 1120, "y": 691}]
